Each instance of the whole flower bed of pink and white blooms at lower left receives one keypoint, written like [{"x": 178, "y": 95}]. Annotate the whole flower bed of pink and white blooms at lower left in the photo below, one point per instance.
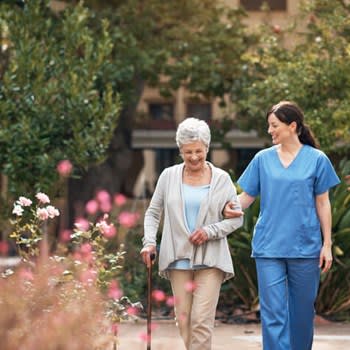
[{"x": 84, "y": 268}]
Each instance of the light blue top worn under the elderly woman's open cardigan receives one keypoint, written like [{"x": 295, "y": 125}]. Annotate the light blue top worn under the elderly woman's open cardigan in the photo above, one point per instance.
[{"x": 192, "y": 197}]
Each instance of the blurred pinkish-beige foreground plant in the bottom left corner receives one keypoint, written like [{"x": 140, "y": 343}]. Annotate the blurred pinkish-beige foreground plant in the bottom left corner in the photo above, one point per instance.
[{"x": 42, "y": 311}]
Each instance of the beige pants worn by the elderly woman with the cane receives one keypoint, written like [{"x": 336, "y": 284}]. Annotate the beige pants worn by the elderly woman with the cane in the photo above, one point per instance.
[{"x": 195, "y": 311}]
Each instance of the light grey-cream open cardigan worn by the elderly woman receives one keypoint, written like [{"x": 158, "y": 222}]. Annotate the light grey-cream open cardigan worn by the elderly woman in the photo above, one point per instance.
[{"x": 175, "y": 244}]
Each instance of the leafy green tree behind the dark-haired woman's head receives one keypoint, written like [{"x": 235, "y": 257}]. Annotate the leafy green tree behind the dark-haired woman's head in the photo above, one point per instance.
[{"x": 314, "y": 71}]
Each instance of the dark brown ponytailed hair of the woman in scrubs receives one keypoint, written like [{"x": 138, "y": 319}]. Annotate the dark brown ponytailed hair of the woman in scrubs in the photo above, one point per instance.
[{"x": 288, "y": 112}]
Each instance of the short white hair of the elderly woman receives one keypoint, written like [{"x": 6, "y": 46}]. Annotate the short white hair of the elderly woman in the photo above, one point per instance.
[{"x": 192, "y": 130}]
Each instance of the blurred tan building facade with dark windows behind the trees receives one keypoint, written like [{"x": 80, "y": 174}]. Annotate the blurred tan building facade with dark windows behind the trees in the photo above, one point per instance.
[{"x": 155, "y": 135}]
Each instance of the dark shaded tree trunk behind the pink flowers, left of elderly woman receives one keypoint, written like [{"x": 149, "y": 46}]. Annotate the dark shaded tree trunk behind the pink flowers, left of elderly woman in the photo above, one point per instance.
[{"x": 117, "y": 174}]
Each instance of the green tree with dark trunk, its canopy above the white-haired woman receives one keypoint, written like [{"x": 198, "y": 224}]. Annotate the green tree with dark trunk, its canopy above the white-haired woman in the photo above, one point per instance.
[{"x": 196, "y": 43}]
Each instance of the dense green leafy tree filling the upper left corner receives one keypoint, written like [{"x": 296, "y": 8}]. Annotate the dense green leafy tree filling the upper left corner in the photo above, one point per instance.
[{"x": 56, "y": 100}]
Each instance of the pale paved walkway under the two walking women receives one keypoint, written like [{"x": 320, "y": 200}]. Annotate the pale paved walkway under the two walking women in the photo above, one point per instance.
[{"x": 333, "y": 336}]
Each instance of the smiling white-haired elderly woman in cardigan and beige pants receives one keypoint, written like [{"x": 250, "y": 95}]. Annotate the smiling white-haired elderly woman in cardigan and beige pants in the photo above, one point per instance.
[{"x": 193, "y": 250}]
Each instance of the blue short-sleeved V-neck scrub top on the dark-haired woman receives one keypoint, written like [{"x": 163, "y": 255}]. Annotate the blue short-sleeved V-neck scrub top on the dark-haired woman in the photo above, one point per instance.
[{"x": 288, "y": 225}]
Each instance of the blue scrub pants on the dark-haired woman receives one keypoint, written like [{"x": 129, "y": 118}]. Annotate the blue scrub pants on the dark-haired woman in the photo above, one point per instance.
[{"x": 287, "y": 293}]
